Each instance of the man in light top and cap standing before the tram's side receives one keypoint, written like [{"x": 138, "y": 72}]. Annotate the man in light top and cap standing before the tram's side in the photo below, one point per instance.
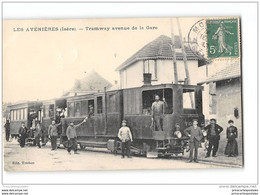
[{"x": 125, "y": 136}]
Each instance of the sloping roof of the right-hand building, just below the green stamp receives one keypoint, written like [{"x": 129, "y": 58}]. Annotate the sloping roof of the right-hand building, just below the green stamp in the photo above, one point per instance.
[{"x": 229, "y": 72}]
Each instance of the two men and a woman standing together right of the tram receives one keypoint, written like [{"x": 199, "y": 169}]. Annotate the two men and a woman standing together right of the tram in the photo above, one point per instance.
[{"x": 212, "y": 132}]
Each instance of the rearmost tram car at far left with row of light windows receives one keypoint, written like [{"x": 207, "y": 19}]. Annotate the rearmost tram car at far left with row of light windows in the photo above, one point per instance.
[{"x": 27, "y": 112}]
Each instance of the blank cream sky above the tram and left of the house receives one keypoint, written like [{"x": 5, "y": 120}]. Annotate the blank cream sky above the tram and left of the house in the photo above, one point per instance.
[{"x": 40, "y": 65}]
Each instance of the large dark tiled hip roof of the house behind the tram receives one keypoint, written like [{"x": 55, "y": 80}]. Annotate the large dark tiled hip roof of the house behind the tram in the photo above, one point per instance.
[{"x": 160, "y": 48}]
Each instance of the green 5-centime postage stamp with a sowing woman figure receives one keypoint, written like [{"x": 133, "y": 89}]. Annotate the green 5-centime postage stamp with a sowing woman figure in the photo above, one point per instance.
[{"x": 223, "y": 38}]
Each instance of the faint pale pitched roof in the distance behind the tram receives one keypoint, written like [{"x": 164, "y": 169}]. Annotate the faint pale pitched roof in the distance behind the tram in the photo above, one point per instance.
[{"x": 91, "y": 82}]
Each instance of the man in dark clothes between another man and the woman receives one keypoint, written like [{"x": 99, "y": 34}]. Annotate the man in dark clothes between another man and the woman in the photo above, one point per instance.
[{"x": 213, "y": 135}]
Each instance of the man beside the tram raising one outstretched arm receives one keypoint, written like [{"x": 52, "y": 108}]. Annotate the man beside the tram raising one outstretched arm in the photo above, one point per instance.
[{"x": 72, "y": 136}]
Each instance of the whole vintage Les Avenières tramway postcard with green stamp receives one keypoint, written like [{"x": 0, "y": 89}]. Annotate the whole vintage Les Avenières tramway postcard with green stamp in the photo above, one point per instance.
[{"x": 122, "y": 94}]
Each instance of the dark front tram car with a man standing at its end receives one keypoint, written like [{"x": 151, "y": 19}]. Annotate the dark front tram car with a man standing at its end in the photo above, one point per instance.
[{"x": 134, "y": 105}]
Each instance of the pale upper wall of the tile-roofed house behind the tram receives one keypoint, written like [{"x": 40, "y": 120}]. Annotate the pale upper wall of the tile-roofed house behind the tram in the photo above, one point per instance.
[{"x": 132, "y": 76}]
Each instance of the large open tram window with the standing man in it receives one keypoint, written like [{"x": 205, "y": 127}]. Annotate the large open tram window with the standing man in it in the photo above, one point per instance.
[{"x": 148, "y": 98}]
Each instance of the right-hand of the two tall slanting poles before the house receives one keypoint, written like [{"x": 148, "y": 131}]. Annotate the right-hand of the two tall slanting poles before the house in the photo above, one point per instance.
[{"x": 185, "y": 61}]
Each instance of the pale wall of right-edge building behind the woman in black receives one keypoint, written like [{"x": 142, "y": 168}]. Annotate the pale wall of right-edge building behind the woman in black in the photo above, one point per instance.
[{"x": 229, "y": 98}]
